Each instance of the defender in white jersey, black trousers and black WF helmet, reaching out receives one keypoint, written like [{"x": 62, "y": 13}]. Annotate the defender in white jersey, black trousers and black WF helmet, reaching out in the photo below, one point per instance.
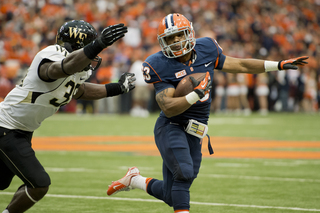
[{"x": 56, "y": 75}]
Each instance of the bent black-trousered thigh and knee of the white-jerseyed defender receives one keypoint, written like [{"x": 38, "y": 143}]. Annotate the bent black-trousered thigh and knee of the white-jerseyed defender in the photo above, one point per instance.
[{"x": 19, "y": 157}]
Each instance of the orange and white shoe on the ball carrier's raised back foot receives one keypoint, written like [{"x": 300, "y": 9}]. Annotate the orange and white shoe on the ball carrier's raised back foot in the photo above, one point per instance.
[{"x": 124, "y": 183}]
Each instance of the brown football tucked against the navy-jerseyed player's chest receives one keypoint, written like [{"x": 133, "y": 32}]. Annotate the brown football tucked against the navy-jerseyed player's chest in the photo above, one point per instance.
[{"x": 185, "y": 85}]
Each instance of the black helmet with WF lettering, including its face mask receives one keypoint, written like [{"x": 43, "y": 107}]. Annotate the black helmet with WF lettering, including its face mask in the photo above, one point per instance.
[{"x": 76, "y": 34}]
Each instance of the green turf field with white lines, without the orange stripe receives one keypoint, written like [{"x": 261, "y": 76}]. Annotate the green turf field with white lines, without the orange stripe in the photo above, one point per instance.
[{"x": 226, "y": 185}]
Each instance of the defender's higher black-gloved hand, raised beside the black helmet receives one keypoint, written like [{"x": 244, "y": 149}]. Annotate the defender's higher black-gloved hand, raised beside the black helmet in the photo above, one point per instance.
[{"x": 111, "y": 34}]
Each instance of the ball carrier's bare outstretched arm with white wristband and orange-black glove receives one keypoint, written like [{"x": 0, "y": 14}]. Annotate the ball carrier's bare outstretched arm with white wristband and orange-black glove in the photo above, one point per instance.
[{"x": 255, "y": 66}]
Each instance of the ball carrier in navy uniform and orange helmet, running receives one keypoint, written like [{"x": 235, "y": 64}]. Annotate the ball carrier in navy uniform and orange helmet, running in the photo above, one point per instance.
[{"x": 183, "y": 120}]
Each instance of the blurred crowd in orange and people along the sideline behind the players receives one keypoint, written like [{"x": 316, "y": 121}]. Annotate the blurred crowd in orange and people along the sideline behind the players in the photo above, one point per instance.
[{"x": 272, "y": 30}]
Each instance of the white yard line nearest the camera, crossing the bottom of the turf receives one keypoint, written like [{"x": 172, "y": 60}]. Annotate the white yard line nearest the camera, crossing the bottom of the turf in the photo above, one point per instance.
[{"x": 157, "y": 201}]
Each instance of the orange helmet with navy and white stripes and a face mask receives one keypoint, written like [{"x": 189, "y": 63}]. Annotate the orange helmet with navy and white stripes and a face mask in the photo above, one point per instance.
[{"x": 172, "y": 24}]
